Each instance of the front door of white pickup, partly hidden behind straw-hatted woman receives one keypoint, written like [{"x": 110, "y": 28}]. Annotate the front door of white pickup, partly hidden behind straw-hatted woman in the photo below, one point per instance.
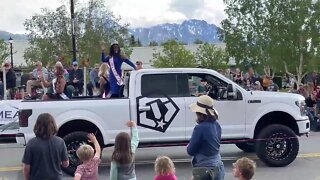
[{"x": 231, "y": 112}]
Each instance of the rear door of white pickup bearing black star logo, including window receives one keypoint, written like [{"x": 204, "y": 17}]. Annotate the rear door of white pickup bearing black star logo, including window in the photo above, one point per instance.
[{"x": 160, "y": 107}]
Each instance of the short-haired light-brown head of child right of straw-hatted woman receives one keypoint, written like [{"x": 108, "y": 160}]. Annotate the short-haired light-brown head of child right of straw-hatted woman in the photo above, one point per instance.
[{"x": 244, "y": 168}]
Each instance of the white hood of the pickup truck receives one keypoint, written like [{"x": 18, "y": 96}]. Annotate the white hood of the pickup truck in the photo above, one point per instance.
[{"x": 276, "y": 95}]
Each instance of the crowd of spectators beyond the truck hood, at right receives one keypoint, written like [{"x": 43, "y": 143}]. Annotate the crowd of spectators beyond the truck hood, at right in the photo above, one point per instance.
[{"x": 308, "y": 88}]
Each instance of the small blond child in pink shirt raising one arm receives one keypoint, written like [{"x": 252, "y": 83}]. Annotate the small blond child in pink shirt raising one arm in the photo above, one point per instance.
[{"x": 90, "y": 160}]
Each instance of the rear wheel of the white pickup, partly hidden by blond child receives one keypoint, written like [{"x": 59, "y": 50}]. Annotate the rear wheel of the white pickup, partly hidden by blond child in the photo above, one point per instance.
[{"x": 73, "y": 141}]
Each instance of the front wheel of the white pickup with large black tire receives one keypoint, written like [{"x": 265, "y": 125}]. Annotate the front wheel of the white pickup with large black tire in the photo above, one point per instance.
[{"x": 277, "y": 145}]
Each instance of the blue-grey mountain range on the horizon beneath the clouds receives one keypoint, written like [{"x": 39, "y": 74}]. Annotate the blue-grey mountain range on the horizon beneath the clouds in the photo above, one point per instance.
[{"x": 188, "y": 32}]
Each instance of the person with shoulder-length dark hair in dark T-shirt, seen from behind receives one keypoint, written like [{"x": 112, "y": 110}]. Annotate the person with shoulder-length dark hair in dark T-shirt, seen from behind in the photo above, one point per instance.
[{"x": 45, "y": 153}]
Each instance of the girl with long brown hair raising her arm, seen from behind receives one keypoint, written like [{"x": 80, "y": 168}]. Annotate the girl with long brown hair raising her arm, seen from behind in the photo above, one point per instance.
[{"x": 123, "y": 162}]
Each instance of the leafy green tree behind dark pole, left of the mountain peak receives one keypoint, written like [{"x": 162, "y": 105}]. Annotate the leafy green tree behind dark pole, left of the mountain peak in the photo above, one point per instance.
[{"x": 49, "y": 33}]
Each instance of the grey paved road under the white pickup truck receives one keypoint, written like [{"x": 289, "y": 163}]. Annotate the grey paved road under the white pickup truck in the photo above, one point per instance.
[{"x": 305, "y": 167}]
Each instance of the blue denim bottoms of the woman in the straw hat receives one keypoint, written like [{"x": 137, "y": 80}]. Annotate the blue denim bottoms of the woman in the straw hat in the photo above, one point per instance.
[{"x": 209, "y": 173}]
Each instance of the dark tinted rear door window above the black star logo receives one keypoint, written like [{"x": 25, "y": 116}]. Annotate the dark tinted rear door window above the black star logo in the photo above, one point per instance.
[{"x": 158, "y": 85}]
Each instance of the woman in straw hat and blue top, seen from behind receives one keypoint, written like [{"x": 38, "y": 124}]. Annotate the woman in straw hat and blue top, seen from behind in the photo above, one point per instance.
[{"x": 204, "y": 145}]
